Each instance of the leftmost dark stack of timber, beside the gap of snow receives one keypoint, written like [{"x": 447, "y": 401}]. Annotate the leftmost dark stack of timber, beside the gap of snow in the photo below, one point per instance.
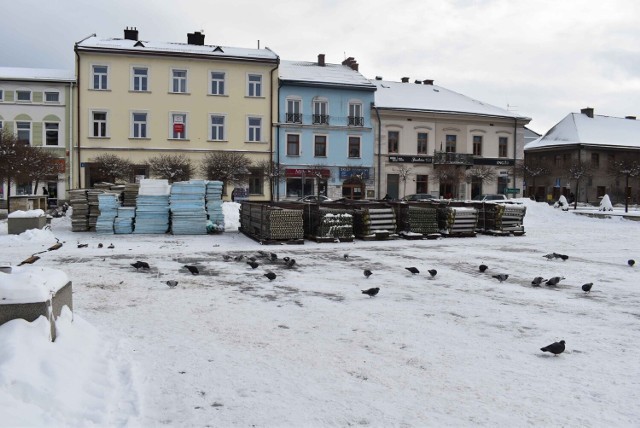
[{"x": 267, "y": 223}]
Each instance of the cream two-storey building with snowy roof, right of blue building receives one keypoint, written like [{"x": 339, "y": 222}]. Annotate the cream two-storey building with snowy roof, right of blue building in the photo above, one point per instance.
[{"x": 433, "y": 140}]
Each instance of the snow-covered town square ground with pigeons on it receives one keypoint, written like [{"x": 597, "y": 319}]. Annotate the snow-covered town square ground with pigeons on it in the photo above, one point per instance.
[{"x": 231, "y": 348}]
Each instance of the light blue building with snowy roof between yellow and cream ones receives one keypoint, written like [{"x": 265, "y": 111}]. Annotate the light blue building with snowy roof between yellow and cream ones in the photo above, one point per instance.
[{"x": 325, "y": 142}]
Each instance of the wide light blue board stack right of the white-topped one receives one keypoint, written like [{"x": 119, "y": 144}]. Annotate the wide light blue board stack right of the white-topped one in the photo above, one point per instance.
[{"x": 188, "y": 214}]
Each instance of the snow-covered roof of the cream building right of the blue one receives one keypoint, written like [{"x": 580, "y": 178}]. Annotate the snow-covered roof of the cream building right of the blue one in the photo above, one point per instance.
[{"x": 432, "y": 98}]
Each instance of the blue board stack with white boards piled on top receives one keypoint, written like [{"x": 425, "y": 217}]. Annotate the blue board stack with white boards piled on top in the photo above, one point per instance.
[{"x": 152, "y": 207}]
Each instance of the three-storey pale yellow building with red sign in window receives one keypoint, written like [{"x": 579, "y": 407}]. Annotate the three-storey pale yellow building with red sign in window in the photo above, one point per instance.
[{"x": 138, "y": 99}]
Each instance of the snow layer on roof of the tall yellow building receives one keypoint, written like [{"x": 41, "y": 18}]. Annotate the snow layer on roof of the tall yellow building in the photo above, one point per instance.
[{"x": 98, "y": 43}]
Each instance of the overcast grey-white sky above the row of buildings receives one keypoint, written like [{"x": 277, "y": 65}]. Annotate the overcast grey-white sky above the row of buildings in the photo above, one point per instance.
[{"x": 540, "y": 58}]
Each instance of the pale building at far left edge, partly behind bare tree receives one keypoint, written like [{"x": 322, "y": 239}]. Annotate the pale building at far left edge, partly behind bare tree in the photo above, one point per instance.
[{"x": 36, "y": 105}]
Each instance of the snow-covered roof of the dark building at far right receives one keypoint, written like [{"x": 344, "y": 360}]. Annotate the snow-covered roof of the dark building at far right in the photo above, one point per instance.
[{"x": 578, "y": 128}]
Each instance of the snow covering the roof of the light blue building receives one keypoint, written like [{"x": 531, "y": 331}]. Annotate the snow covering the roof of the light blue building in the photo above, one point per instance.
[{"x": 330, "y": 74}]
